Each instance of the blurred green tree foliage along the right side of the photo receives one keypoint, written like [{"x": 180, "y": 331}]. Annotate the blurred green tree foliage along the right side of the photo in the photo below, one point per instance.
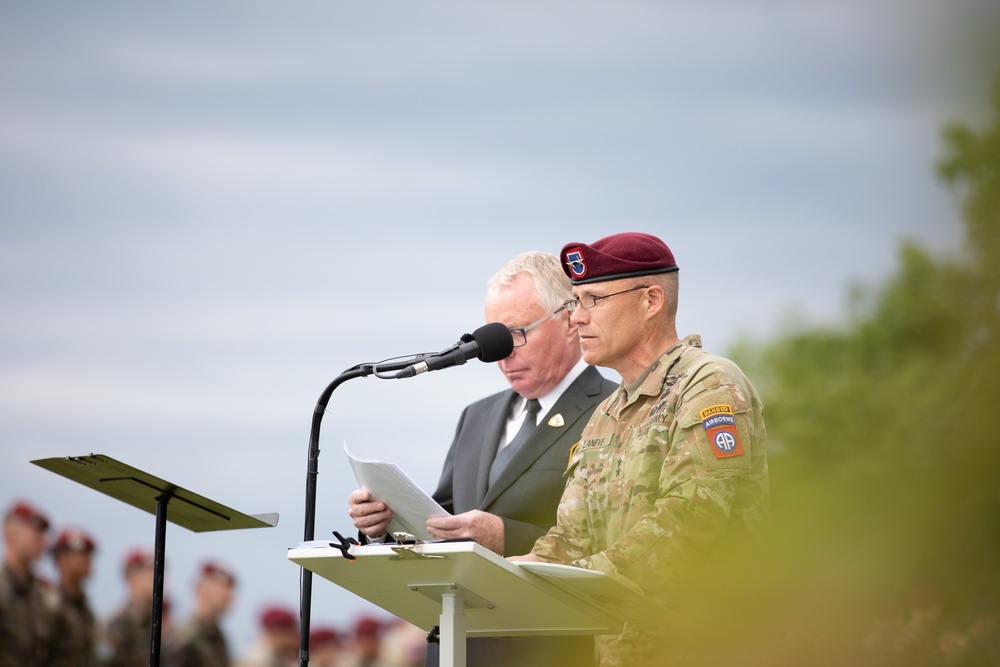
[{"x": 884, "y": 438}]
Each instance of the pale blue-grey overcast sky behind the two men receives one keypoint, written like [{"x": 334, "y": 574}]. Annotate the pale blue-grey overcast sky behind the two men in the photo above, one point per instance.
[{"x": 209, "y": 210}]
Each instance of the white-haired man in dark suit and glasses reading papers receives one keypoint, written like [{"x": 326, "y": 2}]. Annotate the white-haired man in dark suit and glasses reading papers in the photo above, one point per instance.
[{"x": 503, "y": 475}]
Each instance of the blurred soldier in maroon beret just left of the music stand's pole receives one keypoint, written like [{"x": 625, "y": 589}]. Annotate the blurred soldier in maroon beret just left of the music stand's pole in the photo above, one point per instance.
[{"x": 127, "y": 635}]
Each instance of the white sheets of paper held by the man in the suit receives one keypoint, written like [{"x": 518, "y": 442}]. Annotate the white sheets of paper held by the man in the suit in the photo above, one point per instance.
[{"x": 410, "y": 505}]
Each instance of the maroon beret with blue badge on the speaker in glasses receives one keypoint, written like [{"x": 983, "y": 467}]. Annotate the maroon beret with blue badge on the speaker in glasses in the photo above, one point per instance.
[{"x": 625, "y": 255}]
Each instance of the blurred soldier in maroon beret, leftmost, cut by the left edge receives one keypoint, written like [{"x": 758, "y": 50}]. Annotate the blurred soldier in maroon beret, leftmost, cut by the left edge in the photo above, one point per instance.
[{"x": 25, "y": 627}]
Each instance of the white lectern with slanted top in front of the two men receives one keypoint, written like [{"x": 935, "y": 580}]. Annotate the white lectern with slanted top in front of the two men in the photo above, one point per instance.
[{"x": 467, "y": 589}]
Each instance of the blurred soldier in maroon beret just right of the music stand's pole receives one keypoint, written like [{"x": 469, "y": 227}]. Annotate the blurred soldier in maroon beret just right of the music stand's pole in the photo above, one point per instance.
[{"x": 199, "y": 642}]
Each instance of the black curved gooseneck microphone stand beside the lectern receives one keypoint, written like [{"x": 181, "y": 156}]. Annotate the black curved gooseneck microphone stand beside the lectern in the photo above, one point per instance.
[{"x": 312, "y": 472}]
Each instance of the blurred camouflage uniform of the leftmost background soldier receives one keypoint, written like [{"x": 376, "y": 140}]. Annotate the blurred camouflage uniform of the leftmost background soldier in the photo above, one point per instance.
[{"x": 25, "y": 628}]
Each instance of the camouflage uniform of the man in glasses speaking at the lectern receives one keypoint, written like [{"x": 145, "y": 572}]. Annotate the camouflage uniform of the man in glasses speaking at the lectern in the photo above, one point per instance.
[{"x": 667, "y": 471}]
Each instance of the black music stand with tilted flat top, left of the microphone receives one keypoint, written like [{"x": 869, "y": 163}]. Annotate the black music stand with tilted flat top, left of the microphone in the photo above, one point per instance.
[{"x": 152, "y": 494}]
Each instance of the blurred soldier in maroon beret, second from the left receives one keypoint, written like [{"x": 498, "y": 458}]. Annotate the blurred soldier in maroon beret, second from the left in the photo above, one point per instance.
[{"x": 73, "y": 625}]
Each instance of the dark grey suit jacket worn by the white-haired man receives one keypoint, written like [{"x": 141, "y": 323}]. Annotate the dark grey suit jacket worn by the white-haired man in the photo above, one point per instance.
[{"x": 525, "y": 496}]
